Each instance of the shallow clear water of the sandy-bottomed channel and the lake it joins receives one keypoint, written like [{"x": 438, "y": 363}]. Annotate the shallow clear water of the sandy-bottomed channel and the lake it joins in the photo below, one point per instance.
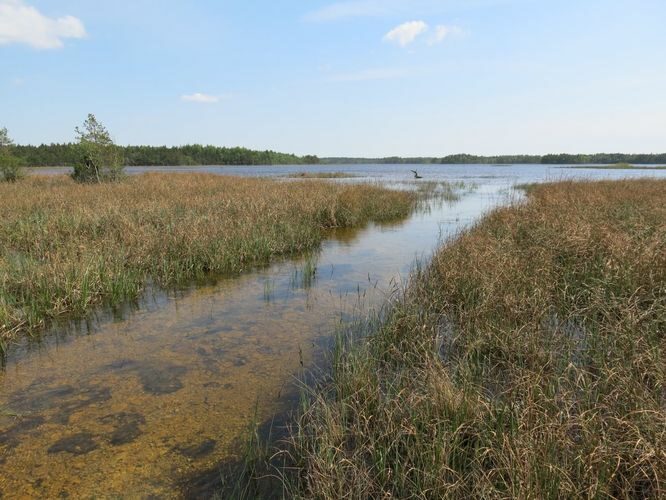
[{"x": 134, "y": 405}]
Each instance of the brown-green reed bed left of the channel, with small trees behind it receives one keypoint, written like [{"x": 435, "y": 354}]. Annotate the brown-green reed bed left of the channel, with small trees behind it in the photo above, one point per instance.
[{"x": 66, "y": 247}]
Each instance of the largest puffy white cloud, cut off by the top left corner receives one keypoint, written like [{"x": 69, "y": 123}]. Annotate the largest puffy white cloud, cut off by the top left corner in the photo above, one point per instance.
[{"x": 20, "y": 23}]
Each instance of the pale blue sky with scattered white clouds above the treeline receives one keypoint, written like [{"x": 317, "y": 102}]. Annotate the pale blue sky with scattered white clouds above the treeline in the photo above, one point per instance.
[{"x": 348, "y": 78}]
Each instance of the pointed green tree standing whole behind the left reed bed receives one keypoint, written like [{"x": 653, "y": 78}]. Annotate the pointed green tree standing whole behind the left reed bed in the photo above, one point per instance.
[{"x": 99, "y": 159}]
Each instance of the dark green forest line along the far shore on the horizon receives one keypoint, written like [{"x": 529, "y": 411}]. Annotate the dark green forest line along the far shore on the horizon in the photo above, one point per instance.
[{"x": 56, "y": 155}]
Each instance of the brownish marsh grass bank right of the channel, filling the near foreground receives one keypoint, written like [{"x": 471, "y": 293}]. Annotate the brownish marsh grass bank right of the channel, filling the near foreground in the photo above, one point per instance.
[{"x": 527, "y": 361}]
